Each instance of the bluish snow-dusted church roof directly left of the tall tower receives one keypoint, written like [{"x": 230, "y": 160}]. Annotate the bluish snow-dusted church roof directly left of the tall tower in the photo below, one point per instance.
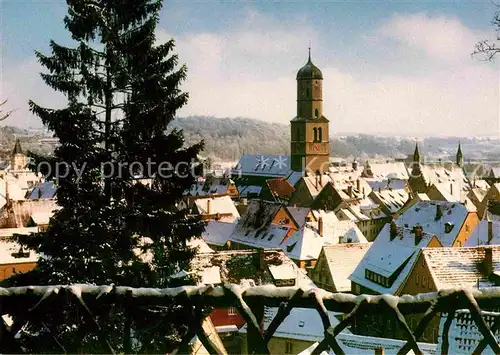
[{"x": 263, "y": 165}]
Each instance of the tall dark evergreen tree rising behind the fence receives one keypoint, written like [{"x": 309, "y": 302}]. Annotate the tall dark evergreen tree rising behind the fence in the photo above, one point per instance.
[{"x": 113, "y": 228}]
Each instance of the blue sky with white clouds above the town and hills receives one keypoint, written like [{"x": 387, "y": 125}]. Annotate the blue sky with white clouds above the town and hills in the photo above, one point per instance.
[{"x": 397, "y": 67}]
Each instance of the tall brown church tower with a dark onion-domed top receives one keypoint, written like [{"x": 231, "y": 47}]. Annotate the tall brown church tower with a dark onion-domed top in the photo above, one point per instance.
[{"x": 309, "y": 135}]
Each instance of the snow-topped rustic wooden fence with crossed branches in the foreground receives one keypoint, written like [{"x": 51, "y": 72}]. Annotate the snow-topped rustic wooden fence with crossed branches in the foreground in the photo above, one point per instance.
[{"x": 251, "y": 300}]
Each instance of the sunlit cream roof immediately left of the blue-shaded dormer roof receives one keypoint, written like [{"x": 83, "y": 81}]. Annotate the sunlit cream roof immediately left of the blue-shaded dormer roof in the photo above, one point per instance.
[{"x": 342, "y": 259}]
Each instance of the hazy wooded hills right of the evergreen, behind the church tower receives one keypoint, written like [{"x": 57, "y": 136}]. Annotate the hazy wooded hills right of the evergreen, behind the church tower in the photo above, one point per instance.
[{"x": 228, "y": 138}]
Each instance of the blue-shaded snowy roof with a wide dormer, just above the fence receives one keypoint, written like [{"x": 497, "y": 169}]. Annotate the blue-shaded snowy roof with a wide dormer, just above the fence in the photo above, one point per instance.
[{"x": 392, "y": 259}]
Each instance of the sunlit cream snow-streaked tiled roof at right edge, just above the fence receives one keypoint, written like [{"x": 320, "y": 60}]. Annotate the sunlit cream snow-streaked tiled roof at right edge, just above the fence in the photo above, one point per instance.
[{"x": 460, "y": 267}]
